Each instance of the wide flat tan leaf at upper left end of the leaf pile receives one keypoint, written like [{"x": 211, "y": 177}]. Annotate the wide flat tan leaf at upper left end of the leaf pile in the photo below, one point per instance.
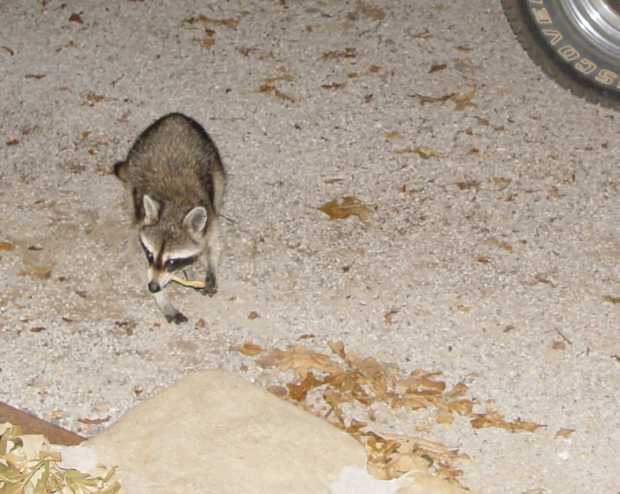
[{"x": 299, "y": 359}]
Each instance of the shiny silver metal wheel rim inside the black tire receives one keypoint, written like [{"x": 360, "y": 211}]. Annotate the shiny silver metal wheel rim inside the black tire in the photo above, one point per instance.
[{"x": 599, "y": 21}]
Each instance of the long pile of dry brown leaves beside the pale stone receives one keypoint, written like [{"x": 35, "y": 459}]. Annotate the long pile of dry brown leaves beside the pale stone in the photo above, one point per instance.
[{"x": 347, "y": 379}]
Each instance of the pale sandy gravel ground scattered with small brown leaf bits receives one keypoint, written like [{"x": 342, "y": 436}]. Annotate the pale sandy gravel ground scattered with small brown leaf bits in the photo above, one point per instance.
[{"x": 495, "y": 262}]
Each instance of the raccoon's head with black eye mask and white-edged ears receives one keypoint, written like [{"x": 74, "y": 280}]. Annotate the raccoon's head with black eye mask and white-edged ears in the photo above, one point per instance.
[{"x": 170, "y": 242}]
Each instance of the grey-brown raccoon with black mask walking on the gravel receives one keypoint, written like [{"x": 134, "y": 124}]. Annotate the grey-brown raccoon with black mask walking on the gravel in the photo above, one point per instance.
[{"x": 176, "y": 182}]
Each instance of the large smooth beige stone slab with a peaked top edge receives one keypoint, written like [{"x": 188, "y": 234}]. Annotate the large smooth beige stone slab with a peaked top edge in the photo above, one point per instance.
[{"x": 214, "y": 432}]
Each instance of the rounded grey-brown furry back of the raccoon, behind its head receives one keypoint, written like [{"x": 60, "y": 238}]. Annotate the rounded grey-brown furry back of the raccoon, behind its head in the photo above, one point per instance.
[{"x": 174, "y": 159}]
